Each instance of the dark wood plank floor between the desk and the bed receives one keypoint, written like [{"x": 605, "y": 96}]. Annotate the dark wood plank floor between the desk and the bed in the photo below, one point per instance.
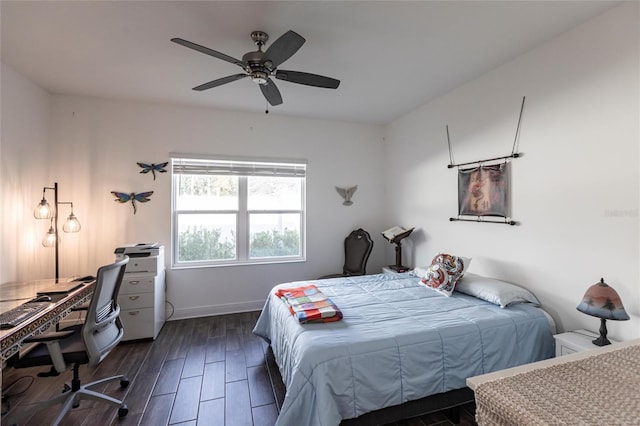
[{"x": 207, "y": 371}]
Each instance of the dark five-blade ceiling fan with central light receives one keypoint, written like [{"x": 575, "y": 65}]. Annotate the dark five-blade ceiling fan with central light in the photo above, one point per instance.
[{"x": 261, "y": 66}]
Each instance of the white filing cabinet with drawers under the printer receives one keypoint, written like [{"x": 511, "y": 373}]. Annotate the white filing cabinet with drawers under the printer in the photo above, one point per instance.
[{"x": 142, "y": 297}]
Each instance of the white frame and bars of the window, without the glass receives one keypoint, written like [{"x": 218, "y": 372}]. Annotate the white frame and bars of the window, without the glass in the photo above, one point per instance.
[{"x": 241, "y": 167}]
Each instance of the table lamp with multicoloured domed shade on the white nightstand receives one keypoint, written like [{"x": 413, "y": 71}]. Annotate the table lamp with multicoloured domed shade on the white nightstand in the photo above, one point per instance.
[{"x": 602, "y": 301}]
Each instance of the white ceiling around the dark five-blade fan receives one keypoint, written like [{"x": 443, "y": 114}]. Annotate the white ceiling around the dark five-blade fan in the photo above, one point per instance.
[{"x": 391, "y": 56}]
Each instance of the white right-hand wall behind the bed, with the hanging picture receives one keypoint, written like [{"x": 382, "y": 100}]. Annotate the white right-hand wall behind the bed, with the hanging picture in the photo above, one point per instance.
[{"x": 575, "y": 190}]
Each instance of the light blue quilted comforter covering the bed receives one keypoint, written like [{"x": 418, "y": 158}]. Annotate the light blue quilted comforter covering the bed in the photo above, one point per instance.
[{"x": 398, "y": 341}]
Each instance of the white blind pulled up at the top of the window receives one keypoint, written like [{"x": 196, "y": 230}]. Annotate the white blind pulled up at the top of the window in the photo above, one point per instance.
[{"x": 196, "y": 166}]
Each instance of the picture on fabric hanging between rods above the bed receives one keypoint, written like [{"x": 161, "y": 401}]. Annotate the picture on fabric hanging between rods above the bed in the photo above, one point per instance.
[{"x": 484, "y": 191}]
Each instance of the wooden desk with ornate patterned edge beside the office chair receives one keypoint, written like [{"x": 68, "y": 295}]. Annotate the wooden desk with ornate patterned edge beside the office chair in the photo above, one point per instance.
[{"x": 14, "y": 294}]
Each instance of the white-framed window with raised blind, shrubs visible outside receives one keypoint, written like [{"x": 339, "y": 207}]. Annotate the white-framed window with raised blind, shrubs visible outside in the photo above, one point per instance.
[{"x": 237, "y": 211}]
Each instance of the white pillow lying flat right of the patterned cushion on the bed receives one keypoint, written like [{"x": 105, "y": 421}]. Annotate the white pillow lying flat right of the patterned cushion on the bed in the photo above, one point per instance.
[{"x": 495, "y": 291}]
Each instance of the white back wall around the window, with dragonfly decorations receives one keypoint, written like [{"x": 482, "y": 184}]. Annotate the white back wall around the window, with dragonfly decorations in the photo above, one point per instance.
[{"x": 95, "y": 145}]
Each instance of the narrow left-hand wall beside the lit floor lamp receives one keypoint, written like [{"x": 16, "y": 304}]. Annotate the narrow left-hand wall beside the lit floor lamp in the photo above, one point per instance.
[{"x": 23, "y": 174}]
